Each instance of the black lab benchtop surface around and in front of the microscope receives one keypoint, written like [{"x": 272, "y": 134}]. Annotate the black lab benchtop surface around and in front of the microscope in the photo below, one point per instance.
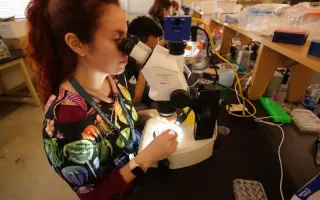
[{"x": 248, "y": 152}]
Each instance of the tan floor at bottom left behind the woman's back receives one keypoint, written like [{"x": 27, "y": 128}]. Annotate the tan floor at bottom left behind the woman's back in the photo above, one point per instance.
[{"x": 24, "y": 171}]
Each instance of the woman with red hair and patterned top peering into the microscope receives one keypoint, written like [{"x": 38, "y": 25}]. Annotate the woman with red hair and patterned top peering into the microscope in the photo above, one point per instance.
[{"x": 89, "y": 125}]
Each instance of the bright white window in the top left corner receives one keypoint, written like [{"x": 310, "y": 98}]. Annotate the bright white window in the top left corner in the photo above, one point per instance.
[{"x": 9, "y": 8}]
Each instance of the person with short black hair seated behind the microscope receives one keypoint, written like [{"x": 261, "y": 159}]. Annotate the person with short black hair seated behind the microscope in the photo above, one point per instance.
[{"x": 148, "y": 32}]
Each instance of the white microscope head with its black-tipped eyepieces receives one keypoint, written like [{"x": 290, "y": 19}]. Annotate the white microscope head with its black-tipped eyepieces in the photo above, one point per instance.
[{"x": 163, "y": 70}]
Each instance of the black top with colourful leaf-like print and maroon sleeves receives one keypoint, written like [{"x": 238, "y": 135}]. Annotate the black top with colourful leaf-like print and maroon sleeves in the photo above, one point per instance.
[{"x": 84, "y": 151}]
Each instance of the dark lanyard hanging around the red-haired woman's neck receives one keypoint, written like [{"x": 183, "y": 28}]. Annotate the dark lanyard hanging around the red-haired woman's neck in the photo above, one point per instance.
[{"x": 88, "y": 98}]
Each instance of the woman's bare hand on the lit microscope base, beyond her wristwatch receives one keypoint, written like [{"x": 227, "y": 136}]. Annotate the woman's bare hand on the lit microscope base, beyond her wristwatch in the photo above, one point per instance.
[{"x": 160, "y": 148}]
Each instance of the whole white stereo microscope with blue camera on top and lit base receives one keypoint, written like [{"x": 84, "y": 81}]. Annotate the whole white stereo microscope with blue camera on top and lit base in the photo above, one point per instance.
[{"x": 174, "y": 87}]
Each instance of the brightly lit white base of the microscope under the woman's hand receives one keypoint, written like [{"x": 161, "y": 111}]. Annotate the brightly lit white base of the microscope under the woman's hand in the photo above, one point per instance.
[{"x": 189, "y": 151}]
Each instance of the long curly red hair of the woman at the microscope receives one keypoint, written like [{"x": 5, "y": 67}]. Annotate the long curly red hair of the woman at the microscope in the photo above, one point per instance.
[{"x": 48, "y": 22}]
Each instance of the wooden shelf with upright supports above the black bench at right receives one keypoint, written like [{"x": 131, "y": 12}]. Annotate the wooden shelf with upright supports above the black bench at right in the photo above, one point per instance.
[{"x": 270, "y": 57}]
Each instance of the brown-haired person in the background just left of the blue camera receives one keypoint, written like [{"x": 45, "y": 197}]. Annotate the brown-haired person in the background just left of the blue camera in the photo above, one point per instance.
[{"x": 157, "y": 12}]
